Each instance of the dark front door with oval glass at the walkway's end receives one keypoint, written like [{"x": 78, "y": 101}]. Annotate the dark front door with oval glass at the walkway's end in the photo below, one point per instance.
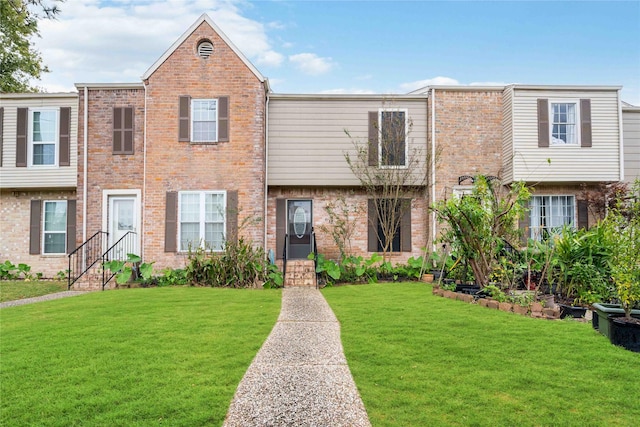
[{"x": 299, "y": 228}]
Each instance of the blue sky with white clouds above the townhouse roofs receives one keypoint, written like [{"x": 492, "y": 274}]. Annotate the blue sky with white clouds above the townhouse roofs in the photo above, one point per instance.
[{"x": 358, "y": 46}]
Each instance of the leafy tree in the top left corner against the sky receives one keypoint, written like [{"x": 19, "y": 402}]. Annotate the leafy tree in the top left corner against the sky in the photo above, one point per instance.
[{"x": 19, "y": 61}]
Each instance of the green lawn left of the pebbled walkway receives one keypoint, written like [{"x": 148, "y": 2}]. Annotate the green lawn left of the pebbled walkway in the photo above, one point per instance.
[{"x": 140, "y": 357}]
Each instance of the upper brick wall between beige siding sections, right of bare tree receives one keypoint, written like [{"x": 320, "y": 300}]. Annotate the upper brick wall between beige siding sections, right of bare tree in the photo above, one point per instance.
[{"x": 468, "y": 136}]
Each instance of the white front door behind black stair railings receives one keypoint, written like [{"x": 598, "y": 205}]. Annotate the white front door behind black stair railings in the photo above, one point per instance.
[{"x": 122, "y": 219}]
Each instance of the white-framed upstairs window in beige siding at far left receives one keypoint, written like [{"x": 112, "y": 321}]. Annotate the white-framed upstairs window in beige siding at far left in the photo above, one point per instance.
[{"x": 43, "y": 136}]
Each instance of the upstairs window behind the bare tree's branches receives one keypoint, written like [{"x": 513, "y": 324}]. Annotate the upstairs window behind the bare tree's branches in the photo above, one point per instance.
[{"x": 392, "y": 142}]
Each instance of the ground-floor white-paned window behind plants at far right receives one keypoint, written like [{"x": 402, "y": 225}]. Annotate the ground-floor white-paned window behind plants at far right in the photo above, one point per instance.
[{"x": 549, "y": 214}]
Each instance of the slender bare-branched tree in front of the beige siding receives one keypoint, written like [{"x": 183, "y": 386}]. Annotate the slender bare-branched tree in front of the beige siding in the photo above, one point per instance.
[{"x": 391, "y": 170}]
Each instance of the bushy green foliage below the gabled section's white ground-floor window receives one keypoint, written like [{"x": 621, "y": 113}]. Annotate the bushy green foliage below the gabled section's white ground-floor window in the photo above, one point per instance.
[{"x": 239, "y": 265}]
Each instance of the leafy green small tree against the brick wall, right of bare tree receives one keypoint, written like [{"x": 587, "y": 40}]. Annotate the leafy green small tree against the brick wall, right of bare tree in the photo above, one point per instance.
[{"x": 479, "y": 224}]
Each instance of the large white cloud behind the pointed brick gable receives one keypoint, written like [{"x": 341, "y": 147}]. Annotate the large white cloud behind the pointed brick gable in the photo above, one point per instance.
[{"x": 96, "y": 41}]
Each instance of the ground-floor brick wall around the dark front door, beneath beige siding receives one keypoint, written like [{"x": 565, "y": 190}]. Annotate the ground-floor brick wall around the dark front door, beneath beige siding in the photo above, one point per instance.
[{"x": 357, "y": 198}]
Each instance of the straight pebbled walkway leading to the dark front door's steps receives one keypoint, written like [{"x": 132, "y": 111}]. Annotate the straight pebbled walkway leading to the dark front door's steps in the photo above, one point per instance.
[{"x": 300, "y": 376}]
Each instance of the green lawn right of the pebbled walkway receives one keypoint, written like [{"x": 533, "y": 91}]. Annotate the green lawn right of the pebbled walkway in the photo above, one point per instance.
[{"x": 421, "y": 360}]
